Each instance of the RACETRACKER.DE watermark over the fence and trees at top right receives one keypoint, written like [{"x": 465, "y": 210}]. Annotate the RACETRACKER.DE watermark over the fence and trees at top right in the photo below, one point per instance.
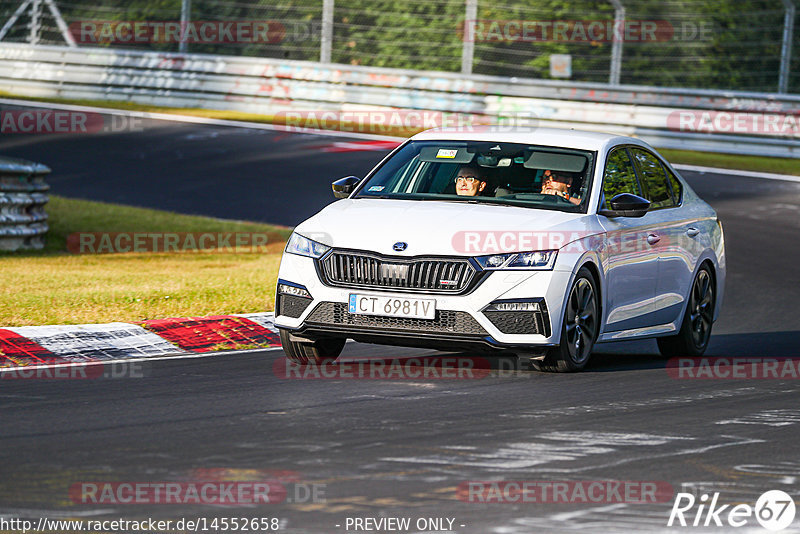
[{"x": 583, "y": 31}]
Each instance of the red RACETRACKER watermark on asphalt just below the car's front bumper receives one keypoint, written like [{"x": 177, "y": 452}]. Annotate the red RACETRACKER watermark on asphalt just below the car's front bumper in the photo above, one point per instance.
[{"x": 438, "y": 368}]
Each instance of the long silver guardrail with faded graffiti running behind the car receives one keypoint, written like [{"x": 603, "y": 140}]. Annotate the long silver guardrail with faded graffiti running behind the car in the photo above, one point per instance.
[{"x": 269, "y": 86}]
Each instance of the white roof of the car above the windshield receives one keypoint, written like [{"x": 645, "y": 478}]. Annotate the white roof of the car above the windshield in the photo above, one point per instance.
[{"x": 559, "y": 137}]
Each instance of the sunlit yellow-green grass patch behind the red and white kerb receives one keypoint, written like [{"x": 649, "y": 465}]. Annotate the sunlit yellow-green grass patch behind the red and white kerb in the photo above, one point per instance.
[{"x": 54, "y": 286}]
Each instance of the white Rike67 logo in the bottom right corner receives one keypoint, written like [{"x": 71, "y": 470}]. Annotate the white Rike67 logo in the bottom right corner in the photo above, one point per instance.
[{"x": 774, "y": 510}]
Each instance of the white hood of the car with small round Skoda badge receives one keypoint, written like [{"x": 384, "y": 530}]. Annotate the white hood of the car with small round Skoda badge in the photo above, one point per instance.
[{"x": 442, "y": 228}]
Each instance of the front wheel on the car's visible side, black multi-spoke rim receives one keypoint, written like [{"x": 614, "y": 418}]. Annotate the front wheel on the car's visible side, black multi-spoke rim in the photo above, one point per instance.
[{"x": 579, "y": 328}]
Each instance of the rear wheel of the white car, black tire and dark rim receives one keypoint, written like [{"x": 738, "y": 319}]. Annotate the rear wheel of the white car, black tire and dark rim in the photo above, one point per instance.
[{"x": 693, "y": 337}]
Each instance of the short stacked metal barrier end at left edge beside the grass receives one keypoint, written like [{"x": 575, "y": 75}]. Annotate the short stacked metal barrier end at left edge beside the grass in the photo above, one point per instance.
[{"x": 23, "y": 221}]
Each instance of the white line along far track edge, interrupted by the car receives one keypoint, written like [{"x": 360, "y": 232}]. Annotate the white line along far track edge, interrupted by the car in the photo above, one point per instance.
[{"x": 332, "y": 133}]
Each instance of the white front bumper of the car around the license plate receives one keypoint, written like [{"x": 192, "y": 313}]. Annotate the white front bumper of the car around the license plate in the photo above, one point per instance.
[{"x": 461, "y": 320}]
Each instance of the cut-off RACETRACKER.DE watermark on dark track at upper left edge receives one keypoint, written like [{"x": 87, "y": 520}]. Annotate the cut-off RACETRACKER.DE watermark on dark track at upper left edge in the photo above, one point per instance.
[{"x": 52, "y": 121}]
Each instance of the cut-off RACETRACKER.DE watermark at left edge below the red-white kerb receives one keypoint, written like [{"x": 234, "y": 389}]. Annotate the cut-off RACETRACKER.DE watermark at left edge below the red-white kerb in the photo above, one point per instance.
[{"x": 77, "y": 371}]
